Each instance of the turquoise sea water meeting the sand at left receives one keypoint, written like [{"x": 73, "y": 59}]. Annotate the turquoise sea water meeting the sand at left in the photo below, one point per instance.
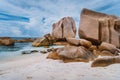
[{"x": 12, "y": 51}]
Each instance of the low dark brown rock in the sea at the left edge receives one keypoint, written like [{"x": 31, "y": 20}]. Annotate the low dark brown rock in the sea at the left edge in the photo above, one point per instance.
[{"x": 6, "y": 41}]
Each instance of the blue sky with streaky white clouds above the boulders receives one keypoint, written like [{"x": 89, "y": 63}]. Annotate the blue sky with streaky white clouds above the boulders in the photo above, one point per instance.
[{"x": 32, "y": 18}]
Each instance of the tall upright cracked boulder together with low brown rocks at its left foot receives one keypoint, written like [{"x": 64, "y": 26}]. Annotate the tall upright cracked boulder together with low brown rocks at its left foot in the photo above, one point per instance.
[{"x": 65, "y": 28}]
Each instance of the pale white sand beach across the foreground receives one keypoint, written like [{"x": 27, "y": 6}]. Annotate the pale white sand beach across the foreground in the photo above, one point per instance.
[{"x": 37, "y": 67}]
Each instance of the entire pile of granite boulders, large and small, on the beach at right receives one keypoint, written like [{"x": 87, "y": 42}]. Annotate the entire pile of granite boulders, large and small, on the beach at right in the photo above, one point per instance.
[{"x": 99, "y": 36}]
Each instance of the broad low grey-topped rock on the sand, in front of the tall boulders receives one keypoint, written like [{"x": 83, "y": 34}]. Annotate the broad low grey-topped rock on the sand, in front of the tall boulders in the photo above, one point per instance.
[{"x": 75, "y": 53}]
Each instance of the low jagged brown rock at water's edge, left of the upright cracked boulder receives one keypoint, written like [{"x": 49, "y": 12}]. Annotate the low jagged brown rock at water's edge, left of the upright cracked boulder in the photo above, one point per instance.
[{"x": 43, "y": 41}]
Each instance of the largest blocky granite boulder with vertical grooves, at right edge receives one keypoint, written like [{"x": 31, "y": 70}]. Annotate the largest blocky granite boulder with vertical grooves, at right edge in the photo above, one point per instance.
[{"x": 97, "y": 27}]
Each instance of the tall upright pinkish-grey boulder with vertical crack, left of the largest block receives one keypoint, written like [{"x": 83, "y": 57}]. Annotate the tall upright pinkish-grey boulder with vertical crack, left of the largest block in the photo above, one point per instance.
[{"x": 65, "y": 28}]
